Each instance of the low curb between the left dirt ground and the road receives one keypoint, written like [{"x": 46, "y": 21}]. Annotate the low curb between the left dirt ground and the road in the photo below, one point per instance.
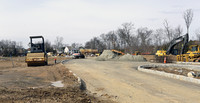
[{"x": 82, "y": 84}]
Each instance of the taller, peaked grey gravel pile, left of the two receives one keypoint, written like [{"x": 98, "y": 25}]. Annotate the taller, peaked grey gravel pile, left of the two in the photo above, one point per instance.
[{"x": 106, "y": 55}]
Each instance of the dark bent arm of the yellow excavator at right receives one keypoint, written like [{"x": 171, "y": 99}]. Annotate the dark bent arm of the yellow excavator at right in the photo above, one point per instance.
[{"x": 175, "y": 41}]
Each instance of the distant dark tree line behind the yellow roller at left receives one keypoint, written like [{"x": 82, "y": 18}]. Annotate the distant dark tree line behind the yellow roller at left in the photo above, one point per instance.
[{"x": 13, "y": 48}]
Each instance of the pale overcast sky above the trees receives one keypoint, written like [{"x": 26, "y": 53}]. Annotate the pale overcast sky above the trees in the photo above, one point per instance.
[{"x": 80, "y": 20}]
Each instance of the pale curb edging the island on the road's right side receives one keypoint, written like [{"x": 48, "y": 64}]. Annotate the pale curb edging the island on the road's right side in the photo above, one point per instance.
[{"x": 169, "y": 75}]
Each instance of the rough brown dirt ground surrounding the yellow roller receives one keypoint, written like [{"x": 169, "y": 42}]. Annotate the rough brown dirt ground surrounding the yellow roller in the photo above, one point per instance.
[{"x": 24, "y": 84}]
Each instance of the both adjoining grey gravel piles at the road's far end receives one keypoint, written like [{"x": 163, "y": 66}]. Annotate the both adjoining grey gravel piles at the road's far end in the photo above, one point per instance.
[{"x": 109, "y": 55}]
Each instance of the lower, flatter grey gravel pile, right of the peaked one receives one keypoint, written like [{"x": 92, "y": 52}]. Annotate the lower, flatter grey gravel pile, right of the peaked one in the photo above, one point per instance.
[{"x": 129, "y": 57}]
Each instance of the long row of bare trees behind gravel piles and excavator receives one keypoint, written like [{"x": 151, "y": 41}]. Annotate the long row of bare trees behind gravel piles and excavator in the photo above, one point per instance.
[{"x": 128, "y": 39}]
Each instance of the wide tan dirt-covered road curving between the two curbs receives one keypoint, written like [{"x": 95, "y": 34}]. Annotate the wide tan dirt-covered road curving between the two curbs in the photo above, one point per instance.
[{"x": 121, "y": 82}]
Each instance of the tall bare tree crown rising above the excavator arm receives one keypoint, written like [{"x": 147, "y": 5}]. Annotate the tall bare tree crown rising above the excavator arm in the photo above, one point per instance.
[{"x": 188, "y": 16}]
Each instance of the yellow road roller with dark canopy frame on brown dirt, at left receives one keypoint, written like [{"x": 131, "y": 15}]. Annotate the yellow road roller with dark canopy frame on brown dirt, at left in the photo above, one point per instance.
[{"x": 37, "y": 55}]
